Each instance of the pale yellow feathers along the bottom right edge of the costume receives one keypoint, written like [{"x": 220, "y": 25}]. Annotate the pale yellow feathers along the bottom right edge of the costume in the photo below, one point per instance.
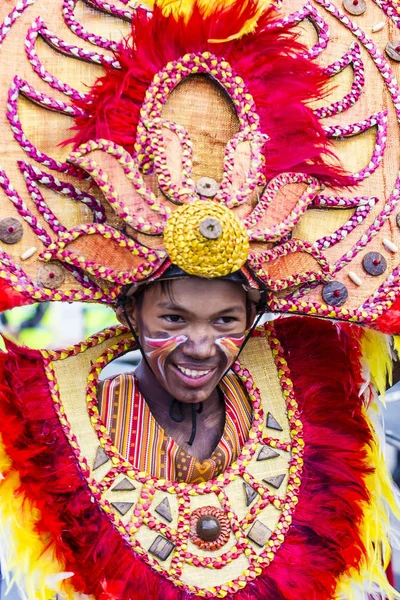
[{"x": 375, "y": 530}]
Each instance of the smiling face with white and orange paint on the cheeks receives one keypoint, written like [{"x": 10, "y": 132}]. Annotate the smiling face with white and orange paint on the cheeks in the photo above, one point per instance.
[{"x": 191, "y": 331}]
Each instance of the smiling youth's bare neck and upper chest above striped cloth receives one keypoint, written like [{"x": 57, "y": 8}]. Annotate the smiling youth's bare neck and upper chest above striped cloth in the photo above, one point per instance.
[{"x": 210, "y": 421}]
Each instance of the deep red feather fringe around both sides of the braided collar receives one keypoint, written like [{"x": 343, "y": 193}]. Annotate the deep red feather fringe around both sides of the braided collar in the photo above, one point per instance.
[{"x": 324, "y": 538}]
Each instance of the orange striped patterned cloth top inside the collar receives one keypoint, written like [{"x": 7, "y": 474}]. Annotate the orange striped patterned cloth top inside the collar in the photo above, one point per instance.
[{"x": 141, "y": 440}]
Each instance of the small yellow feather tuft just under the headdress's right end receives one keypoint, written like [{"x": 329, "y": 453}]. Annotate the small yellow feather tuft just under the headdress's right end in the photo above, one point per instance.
[{"x": 376, "y": 353}]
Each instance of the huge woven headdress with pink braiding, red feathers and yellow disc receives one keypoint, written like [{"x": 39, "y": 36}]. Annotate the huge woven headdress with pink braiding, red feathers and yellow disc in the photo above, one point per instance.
[{"x": 211, "y": 141}]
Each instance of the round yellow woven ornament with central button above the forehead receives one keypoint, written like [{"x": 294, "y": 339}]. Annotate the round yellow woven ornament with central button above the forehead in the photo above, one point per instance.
[{"x": 206, "y": 239}]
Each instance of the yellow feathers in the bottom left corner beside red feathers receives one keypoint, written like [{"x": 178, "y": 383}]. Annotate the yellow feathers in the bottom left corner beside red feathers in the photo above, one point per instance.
[{"x": 29, "y": 557}]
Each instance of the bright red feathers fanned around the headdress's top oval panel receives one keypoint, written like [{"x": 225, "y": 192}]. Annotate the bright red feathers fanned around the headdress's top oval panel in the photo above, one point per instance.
[{"x": 270, "y": 61}]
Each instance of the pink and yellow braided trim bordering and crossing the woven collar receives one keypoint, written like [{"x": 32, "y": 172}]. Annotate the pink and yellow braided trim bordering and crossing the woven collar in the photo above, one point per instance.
[{"x": 142, "y": 515}]
